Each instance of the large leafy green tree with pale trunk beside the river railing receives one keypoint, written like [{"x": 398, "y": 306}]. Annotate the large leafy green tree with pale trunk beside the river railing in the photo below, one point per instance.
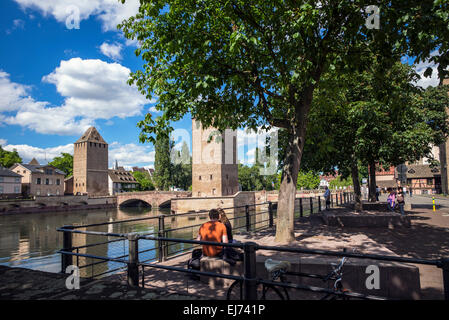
[{"x": 258, "y": 63}]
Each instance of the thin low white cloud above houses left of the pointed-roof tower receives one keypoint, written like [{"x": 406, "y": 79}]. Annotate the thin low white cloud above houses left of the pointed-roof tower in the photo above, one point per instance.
[{"x": 43, "y": 155}]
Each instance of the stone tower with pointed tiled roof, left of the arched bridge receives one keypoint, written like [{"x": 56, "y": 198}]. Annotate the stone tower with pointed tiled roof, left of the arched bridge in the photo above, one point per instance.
[{"x": 90, "y": 164}]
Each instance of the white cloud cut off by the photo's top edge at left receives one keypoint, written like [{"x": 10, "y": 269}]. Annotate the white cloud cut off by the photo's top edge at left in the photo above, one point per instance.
[{"x": 110, "y": 12}]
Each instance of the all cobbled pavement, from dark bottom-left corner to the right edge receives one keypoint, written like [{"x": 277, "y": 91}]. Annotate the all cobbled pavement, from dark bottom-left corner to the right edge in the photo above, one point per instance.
[{"x": 427, "y": 238}]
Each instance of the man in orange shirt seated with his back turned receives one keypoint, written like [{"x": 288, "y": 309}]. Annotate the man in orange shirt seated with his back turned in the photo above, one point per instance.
[{"x": 213, "y": 231}]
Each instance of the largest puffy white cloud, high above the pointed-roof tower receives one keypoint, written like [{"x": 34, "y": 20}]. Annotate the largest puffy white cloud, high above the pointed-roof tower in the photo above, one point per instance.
[{"x": 93, "y": 89}]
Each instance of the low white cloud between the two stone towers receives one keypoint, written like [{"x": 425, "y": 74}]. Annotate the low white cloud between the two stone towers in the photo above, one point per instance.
[{"x": 131, "y": 154}]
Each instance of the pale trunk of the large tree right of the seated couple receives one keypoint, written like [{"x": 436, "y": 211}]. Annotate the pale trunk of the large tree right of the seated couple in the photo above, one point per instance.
[{"x": 287, "y": 192}]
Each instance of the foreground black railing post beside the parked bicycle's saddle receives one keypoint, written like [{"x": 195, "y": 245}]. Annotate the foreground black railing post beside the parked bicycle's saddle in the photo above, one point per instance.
[{"x": 249, "y": 265}]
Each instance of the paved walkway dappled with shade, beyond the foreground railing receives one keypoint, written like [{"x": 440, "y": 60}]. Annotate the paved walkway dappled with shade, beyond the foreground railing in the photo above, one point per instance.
[{"x": 428, "y": 238}]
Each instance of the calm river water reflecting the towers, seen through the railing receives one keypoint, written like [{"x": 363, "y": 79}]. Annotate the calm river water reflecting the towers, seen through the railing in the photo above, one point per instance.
[{"x": 31, "y": 240}]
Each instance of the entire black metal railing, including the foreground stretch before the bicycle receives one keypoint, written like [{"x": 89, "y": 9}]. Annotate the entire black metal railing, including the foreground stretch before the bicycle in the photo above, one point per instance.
[{"x": 132, "y": 263}]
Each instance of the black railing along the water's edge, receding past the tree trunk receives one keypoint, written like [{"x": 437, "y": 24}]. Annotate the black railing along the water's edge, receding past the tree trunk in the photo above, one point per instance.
[{"x": 91, "y": 257}]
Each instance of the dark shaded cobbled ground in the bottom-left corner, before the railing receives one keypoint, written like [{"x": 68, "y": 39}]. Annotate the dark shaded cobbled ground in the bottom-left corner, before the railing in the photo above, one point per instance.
[{"x": 25, "y": 284}]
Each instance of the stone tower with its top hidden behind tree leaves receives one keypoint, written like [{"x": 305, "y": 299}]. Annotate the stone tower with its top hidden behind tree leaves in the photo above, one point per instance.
[{"x": 214, "y": 163}]
